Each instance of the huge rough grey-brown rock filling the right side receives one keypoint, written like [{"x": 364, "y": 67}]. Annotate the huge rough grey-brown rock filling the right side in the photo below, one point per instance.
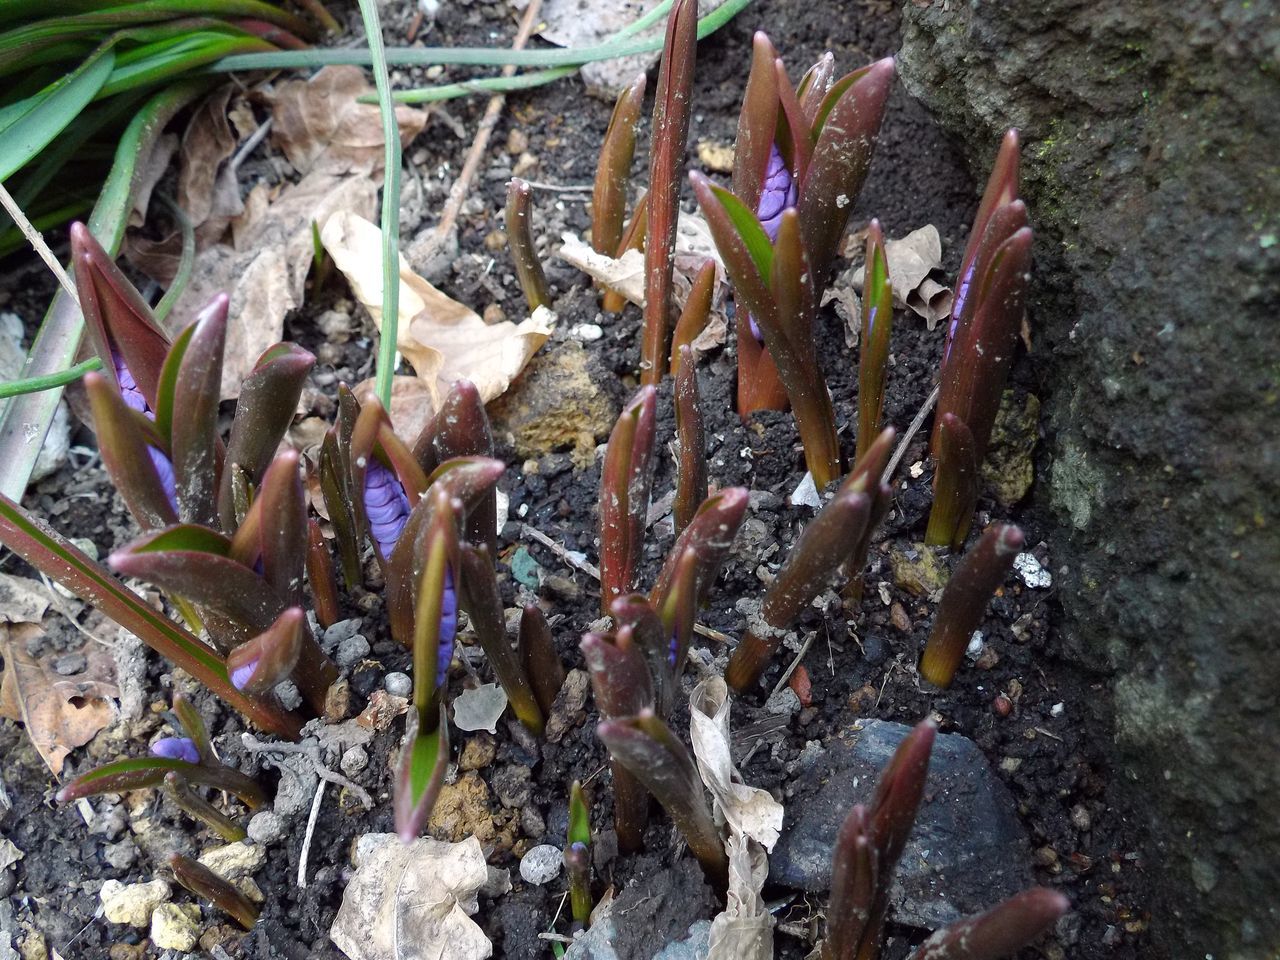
[{"x": 1150, "y": 158}]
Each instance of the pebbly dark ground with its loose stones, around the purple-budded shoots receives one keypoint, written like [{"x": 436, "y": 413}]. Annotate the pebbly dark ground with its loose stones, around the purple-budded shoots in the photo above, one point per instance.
[{"x": 1021, "y": 789}]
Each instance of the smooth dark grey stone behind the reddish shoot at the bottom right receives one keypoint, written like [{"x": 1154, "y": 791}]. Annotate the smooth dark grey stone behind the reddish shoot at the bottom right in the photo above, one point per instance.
[{"x": 967, "y": 853}]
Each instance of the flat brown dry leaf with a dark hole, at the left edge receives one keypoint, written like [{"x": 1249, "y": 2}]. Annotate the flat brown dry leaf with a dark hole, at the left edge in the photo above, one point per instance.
[{"x": 60, "y": 712}]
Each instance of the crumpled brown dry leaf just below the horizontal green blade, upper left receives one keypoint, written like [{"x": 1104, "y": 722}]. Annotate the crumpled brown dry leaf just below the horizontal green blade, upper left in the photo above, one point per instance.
[{"x": 321, "y": 127}]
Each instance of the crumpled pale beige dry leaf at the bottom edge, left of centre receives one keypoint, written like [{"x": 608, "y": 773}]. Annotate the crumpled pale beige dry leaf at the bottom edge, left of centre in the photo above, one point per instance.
[{"x": 413, "y": 902}]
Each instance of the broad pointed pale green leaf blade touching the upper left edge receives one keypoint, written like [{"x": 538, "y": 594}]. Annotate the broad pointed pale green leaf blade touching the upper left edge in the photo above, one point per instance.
[{"x": 29, "y": 126}]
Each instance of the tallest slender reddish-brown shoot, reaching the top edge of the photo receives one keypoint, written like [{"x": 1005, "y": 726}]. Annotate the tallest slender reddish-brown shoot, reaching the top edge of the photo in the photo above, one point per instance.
[{"x": 671, "y": 116}]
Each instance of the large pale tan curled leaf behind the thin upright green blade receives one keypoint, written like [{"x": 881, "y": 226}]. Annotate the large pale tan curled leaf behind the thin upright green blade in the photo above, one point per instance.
[{"x": 444, "y": 340}]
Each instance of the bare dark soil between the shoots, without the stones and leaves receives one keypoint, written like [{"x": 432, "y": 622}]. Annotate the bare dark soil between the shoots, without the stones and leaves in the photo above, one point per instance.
[{"x": 1055, "y": 767}]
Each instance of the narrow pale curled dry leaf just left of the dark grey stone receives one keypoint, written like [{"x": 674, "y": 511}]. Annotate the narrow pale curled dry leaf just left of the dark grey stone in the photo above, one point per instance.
[{"x": 749, "y": 811}]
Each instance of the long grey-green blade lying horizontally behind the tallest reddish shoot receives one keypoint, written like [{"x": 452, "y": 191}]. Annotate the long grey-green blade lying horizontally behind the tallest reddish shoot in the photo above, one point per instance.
[{"x": 474, "y": 57}]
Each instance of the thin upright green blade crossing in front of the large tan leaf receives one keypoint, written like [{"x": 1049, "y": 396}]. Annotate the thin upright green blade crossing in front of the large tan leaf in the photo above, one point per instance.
[{"x": 391, "y": 203}]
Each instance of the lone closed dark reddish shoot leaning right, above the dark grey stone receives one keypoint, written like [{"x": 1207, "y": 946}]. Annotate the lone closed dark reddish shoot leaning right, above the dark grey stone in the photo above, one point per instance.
[{"x": 966, "y": 598}]
